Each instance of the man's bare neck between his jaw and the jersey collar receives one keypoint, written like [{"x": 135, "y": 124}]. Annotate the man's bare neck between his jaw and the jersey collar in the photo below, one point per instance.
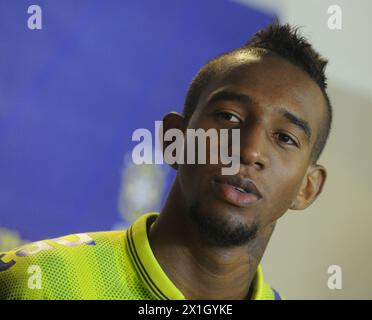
[{"x": 199, "y": 270}]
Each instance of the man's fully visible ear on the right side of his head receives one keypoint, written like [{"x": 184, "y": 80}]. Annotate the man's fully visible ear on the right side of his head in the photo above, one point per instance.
[{"x": 311, "y": 187}]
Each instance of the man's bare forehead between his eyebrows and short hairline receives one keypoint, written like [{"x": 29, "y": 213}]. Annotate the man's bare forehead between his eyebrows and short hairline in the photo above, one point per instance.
[{"x": 272, "y": 82}]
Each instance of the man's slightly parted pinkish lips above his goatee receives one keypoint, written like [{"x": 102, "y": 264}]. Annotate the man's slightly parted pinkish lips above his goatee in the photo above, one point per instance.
[{"x": 236, "y": 190}]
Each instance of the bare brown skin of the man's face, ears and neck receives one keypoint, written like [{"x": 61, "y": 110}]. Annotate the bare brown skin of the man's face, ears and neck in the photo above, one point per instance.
[{"x": 275, "y": 153}]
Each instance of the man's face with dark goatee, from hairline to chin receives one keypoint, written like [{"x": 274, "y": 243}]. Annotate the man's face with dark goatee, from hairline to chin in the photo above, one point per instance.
[{"x": 279, "y": 110}]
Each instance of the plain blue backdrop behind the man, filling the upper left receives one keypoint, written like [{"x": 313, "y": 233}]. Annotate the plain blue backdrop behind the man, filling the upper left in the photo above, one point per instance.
[{"x": 72, "y": 94}]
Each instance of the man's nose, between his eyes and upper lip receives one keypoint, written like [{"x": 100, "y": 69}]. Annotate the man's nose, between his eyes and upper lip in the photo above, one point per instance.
[{"x": 253, "y": 147}]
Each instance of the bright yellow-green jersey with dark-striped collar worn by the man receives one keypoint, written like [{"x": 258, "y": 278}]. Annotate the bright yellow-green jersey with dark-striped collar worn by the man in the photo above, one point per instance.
[{"x": 96, "y": 265}]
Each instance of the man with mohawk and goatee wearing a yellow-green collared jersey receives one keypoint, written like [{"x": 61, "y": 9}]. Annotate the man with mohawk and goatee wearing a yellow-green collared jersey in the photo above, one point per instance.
[{"x": 212, "y": 232}]
